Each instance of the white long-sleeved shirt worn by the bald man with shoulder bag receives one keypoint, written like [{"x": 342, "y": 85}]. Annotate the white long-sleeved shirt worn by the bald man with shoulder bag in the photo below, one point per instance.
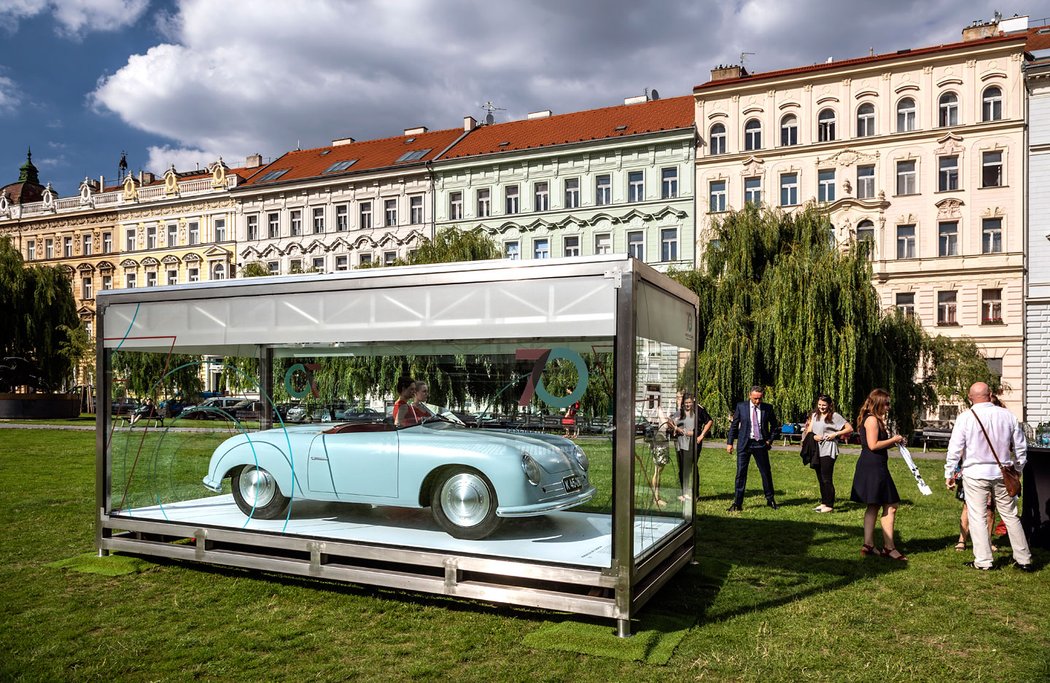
[{"x": 970, "y": 445}]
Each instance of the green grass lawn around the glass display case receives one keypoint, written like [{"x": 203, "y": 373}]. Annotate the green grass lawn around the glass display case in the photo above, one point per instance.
[{"x": 778, "y": 596}]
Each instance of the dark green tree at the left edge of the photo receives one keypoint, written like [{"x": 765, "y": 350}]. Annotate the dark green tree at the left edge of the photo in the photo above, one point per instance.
[{"x": 39, "y": 314}]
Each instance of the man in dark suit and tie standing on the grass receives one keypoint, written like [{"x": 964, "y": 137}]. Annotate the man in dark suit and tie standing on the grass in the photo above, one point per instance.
[{"x": 754, "y": 427}]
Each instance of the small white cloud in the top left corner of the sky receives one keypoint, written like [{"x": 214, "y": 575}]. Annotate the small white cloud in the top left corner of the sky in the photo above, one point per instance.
[{"x": 75, "y": 18}]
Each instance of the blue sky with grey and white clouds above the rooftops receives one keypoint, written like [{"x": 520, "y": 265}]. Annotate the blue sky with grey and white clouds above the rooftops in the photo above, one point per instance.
[{"x": 184, "y": 81}]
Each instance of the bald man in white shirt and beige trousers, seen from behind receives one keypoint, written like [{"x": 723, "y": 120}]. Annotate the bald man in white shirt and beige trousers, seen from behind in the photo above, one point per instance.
[{"x": 981, "y": 475}]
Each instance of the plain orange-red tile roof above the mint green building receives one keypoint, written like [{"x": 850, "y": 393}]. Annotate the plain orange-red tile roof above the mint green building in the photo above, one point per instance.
[{"x": 619, "y": 121}]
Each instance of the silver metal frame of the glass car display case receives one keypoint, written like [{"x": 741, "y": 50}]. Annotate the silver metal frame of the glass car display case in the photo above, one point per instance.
[{"x": 618, "y": 592}]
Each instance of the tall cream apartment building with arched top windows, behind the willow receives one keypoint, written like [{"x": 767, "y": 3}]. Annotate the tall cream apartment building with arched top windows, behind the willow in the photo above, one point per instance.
[{"x": 919, "y": 153}]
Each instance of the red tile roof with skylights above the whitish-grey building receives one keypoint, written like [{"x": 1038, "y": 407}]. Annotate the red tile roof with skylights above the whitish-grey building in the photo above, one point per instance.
[{"x": 370, "y": 156}]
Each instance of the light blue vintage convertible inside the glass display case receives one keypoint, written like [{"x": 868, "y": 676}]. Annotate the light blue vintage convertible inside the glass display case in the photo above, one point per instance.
[{"x": 472, "y": 480}]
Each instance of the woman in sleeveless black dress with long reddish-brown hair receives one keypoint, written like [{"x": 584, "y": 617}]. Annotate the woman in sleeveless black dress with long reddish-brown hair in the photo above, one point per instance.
[{"x": 873, "y": 486}]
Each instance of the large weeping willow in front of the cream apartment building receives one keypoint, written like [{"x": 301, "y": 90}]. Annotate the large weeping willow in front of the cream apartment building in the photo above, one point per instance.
[{"x": 784, "y": 307}]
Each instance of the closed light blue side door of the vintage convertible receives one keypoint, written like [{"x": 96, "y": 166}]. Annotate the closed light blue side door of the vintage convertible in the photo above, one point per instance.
[{"x": 355, "y": 465}]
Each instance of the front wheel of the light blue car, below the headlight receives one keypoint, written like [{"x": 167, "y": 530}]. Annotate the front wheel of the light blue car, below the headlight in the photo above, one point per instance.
[{"x": 464, "y": 504}]
